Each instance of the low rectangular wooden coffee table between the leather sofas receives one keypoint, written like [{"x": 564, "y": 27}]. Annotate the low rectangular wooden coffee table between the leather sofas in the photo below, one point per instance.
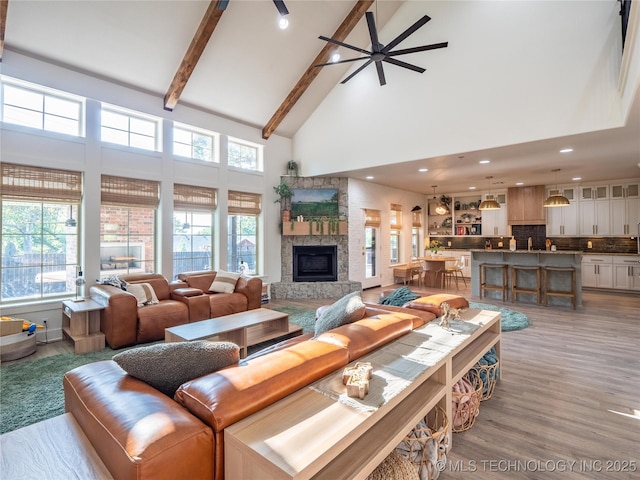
[{"x": 244, "y": 329}]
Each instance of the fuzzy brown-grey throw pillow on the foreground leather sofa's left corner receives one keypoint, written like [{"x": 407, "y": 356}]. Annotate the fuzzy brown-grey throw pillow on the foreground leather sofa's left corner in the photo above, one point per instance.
[{"x": 166, "y": 366}]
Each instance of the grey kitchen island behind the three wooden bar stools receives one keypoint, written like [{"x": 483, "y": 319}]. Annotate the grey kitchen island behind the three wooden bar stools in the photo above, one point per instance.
[{"x": 560, "y": 281}]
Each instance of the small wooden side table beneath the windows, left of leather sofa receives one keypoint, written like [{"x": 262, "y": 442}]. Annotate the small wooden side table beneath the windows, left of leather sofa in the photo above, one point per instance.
[{"x": 81, "y": 323}]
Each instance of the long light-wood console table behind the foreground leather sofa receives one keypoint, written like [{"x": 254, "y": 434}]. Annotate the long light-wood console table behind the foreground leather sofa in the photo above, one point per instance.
[{"x": 312, "y": 435}]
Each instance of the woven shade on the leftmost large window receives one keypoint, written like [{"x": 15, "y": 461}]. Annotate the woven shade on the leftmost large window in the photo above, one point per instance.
[{"x": 20, "y": 182}]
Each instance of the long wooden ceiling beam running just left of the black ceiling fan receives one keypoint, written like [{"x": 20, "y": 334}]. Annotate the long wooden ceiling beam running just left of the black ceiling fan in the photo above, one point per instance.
[{"x": 345, "y": 28}]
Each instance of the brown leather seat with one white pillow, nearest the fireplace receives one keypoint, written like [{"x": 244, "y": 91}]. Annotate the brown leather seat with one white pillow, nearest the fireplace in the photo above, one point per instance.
[{"x": 194, "y": 292}]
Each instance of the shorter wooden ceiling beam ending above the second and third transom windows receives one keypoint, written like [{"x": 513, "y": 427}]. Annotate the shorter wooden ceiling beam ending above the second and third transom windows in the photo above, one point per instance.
[{"x": 190, "y": 60}]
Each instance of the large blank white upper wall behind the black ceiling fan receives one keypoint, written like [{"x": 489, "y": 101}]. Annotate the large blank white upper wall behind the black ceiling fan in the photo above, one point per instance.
[{"x": 514, "y": 71}]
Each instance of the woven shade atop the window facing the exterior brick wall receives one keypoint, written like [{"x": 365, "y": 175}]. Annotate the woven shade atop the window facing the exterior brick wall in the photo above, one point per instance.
[{"x": 129, "y": 192}]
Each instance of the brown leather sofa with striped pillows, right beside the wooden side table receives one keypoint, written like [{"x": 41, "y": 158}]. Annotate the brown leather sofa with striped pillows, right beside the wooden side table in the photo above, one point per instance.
[{"x": 124, "y": 323}]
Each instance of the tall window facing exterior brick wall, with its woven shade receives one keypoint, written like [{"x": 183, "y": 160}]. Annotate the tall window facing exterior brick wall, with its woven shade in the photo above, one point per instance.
[{"x": 127, "y": 225}]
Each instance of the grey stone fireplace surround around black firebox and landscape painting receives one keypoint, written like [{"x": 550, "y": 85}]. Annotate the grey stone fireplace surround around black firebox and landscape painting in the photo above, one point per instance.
[{"x": 318, "y": 263}]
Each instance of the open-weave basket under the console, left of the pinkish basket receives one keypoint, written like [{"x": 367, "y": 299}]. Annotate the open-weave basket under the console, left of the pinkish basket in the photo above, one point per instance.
[{"x": 427, "y": 444}]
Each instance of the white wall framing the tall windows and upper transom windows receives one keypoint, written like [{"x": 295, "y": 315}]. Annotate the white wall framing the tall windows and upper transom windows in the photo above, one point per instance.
[{"x": 27, "y": 146}]
